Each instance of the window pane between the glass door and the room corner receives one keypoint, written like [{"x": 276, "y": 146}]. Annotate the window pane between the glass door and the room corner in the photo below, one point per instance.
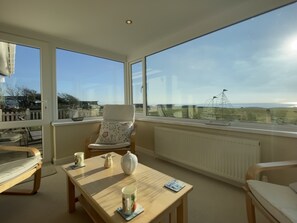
[{"x": 85, "y": 83}]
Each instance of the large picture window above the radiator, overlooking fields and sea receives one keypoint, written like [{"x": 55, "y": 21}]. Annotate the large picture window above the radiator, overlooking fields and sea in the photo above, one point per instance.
[{"x": 243, "y": 73}]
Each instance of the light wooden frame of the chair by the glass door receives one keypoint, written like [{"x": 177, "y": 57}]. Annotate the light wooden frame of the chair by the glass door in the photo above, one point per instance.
[{"x": 5, "y": 188}]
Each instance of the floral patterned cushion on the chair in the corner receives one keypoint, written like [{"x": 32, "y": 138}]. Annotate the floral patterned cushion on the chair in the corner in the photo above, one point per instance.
[{"x": 114, "y": 132}]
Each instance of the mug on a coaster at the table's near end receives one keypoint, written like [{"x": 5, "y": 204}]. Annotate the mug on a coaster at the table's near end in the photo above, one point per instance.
[{"x": 129, "y": 199}]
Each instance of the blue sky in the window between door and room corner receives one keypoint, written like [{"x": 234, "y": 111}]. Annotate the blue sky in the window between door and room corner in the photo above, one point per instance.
[{"x": 90, "y": 78}]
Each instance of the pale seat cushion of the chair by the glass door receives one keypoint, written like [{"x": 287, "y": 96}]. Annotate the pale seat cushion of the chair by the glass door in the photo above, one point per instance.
[{"x": 15, "y": 168}]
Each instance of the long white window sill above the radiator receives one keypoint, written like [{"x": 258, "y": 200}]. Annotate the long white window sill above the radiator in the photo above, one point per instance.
[{"x": 252, "y": 128}]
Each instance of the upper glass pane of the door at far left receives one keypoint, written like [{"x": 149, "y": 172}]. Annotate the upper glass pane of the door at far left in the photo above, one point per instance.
[{"x": 19, "y": 82}]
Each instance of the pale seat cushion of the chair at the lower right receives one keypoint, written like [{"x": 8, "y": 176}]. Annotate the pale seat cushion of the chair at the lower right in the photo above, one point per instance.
[{"x": 279, "y": 200}]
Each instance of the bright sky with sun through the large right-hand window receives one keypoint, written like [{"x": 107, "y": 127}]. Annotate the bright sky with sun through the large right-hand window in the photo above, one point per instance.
[{"x": 256, "y": 61}]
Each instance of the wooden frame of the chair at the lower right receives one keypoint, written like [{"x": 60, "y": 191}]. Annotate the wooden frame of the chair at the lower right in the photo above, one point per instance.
[{"x": 252, "y": 174}]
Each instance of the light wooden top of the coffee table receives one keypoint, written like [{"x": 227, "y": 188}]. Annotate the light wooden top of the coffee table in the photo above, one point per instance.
[{"x": 102, "y": 188}]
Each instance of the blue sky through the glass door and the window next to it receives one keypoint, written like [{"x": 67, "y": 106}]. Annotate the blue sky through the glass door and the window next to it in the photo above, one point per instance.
[{"x": 85, "y": 77}]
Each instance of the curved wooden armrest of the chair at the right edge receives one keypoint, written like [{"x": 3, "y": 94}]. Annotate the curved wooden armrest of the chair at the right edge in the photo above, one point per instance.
[{"x": 254, "y": 170}]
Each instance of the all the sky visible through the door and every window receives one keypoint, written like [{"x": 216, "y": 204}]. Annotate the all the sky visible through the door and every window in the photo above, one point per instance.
[{"x": 255, "y": 60}]
